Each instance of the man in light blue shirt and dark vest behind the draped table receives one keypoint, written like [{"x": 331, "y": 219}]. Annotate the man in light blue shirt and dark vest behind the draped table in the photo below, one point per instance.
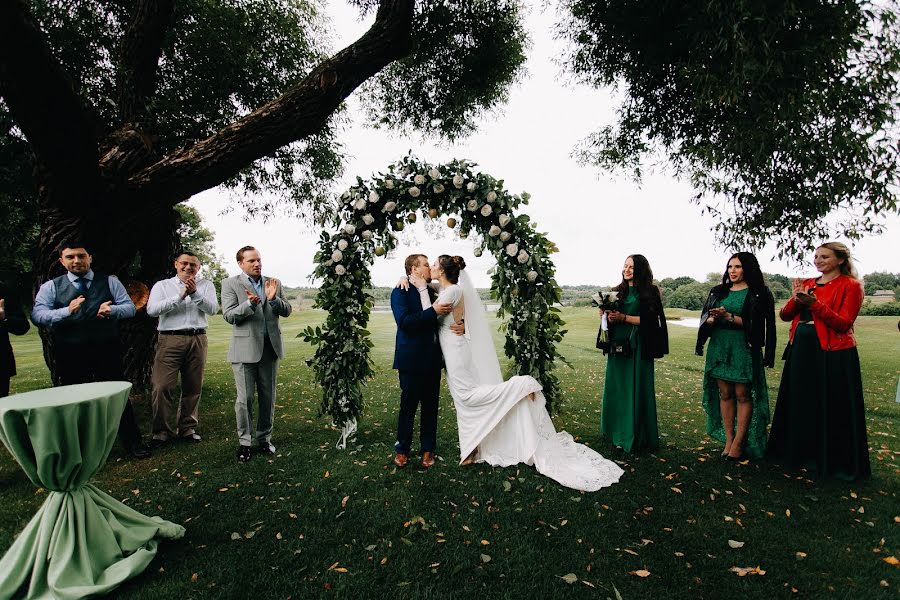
[{"x": 82, "y": 309}]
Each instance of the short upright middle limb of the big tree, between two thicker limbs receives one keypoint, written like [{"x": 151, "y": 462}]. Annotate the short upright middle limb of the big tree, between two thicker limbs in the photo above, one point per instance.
[{"x": 139, "y": 57}]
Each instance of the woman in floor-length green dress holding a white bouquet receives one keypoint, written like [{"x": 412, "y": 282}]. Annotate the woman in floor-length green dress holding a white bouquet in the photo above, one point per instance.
[{"x": 638, "y": 335}]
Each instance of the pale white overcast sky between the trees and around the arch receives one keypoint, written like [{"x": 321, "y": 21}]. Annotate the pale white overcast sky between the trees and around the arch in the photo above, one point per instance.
[{"x": 595, "y": 218}]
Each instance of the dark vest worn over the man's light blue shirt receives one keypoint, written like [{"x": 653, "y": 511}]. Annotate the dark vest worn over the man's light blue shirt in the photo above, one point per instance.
[{"x": 84, "y": 326}]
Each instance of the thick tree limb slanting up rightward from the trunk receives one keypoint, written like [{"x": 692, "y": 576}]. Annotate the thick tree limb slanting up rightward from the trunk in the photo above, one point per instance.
[{"x": 301, "y": 111}]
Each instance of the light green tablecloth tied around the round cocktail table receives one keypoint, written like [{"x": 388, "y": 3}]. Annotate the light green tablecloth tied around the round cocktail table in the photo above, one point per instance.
[{"x": 81, "y": 541}]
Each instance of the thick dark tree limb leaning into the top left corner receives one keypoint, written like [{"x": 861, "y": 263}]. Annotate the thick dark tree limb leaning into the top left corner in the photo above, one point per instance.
[{"x": 42, "y": 98}]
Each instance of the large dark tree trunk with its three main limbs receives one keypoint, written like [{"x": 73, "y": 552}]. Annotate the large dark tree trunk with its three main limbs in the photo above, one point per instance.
[{"x": 108, "y": 189}]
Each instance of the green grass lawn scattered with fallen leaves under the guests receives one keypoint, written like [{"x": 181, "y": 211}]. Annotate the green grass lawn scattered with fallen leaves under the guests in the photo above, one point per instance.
[{"x": 316, "y": 521}]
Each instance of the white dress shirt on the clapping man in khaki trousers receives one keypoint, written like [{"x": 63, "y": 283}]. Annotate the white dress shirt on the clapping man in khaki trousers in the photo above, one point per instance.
[{"x": 176, "y": 313}]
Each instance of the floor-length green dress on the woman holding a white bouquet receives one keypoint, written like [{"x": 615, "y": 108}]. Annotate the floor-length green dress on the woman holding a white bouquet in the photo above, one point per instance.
[{"x": 628, "y": 418}]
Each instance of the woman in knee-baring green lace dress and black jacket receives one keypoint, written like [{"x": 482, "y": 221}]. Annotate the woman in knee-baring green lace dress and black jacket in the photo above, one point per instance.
[{"x": 739, "y": 320}]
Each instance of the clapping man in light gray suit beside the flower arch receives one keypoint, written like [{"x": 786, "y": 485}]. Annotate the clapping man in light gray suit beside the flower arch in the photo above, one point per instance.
[{"x": 252, "y": 304}]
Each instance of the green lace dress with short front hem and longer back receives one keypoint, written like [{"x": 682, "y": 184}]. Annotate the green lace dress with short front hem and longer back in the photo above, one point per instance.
[{"x": 729, "y": 359}]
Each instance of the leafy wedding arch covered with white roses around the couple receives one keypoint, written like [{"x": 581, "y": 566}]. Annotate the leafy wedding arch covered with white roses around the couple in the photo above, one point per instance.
[{"x": 366, "y": 219}]
